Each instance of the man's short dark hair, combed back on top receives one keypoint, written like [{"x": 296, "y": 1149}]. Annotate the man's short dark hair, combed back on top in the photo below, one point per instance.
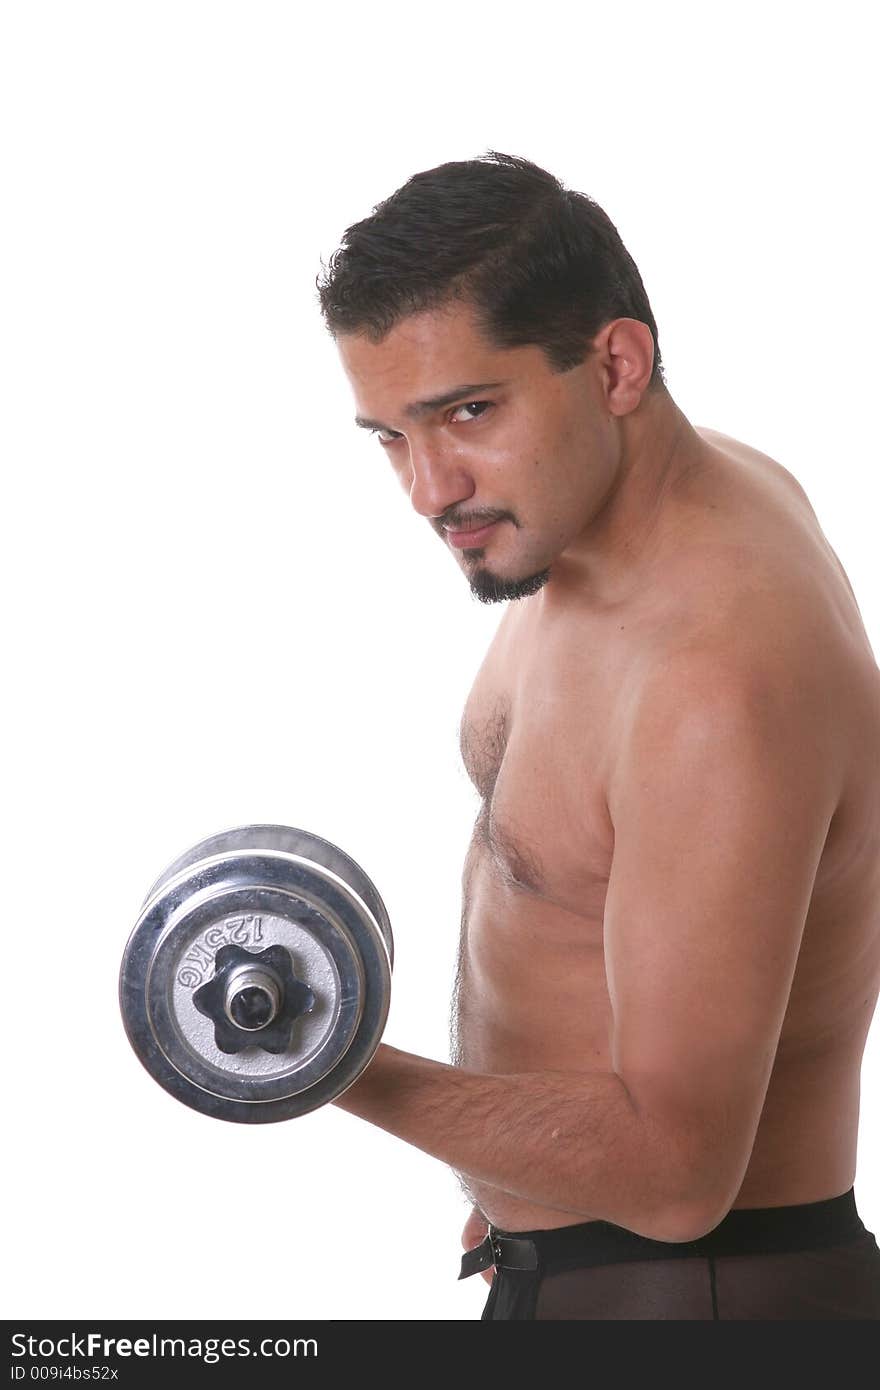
[{"x": 540, "y": 263}]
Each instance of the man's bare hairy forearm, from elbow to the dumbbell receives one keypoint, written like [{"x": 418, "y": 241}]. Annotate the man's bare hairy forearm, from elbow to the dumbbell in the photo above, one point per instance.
[{"x": 573, "y": 1142}]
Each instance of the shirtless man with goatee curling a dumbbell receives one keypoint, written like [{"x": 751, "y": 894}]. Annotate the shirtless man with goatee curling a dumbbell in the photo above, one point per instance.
[{"x": 671, "y": 939}]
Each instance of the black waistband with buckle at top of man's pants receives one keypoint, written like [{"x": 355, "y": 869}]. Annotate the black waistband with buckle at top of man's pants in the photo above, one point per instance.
[{"x": 743, "y": 1232}]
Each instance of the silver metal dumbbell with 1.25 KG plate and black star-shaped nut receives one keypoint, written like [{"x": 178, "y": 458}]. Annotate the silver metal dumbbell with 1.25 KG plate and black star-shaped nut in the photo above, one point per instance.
[{"x": 256, "y": 982}]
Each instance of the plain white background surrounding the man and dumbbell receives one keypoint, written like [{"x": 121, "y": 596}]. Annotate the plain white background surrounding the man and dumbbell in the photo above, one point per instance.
[{"x": 219, "y": 605}]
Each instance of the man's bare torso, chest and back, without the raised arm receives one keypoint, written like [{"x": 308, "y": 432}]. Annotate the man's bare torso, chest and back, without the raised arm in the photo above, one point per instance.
[{"x": 740, "y": 568}]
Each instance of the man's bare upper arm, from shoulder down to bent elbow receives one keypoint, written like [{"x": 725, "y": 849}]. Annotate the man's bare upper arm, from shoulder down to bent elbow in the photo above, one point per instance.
[{"x": 721, "y": 800}]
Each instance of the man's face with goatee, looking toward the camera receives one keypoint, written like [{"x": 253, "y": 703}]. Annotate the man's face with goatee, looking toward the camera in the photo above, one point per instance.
[{"x": 486, "y": 441}]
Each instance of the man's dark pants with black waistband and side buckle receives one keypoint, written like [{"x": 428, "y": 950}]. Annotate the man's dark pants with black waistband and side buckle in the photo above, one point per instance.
[{"x": 815, "y": 1261}]
